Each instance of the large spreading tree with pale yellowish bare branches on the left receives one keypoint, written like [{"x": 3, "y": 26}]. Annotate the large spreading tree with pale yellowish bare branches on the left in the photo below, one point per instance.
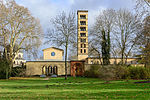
[{"x": 17, "y": 28}]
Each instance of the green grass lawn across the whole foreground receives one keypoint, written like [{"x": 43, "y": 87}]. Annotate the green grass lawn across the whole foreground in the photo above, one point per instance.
[{"x": 73, "y": 88}]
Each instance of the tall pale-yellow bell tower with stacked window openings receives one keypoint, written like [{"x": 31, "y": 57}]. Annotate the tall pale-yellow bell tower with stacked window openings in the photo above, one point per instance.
[{"x": 82, "y": 39}]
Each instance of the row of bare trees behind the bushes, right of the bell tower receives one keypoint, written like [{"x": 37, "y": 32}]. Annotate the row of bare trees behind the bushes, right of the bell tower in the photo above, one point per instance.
[{"x": 121, "y": 33}]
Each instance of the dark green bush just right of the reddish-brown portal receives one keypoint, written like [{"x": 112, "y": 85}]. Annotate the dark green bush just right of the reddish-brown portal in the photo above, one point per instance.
[{"x": 93, "y": 72}]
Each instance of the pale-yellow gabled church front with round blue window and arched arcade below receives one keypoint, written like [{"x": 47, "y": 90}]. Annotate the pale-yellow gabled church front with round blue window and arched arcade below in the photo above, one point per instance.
[{"x": 52, "y": 63}]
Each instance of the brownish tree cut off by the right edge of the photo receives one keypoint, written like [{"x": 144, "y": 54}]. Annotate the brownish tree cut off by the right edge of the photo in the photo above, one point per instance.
[{"x": 143, "y": 12}]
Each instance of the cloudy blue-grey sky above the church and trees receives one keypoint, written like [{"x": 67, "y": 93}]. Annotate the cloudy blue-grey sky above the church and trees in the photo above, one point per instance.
[{"x": 44, "y": 10}]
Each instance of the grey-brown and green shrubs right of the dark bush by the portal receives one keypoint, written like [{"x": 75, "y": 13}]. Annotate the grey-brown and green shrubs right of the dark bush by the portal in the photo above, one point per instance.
[{"x": 123, "y": 72}]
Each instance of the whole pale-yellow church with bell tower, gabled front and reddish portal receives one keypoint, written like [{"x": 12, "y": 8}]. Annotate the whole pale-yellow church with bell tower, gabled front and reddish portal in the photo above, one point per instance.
[{"x": 53, "y": 62}]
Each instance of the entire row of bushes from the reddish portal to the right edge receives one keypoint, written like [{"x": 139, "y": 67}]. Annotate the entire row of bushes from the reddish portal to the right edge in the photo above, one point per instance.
[{"x": 115, "y": 72}]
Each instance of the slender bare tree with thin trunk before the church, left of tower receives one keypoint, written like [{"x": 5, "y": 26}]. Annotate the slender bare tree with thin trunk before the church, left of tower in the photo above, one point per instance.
[{"x": 63, "y": 32}]
